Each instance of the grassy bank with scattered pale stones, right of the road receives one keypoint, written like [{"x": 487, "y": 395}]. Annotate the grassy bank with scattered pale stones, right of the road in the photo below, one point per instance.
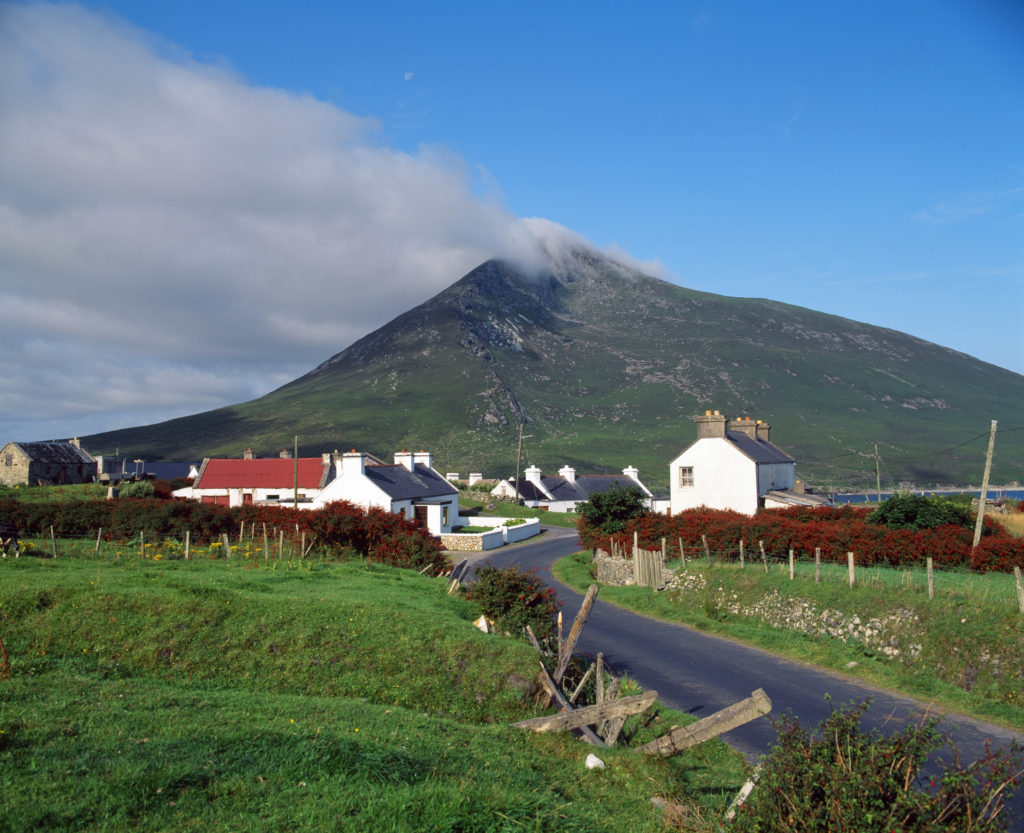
[{"x": 963, "y": 650}]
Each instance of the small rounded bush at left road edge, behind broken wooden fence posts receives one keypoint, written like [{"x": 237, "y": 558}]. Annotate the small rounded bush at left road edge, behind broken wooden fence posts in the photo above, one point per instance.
[{"x": 514, "y": 598}]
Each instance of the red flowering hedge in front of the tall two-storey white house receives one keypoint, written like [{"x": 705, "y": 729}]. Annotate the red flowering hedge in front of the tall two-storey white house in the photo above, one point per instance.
[{"x": 835, "y": 530}]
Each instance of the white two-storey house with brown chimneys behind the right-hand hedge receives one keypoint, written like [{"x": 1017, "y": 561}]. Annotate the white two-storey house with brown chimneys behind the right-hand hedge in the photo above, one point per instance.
[{"x": 733, "y": 466}]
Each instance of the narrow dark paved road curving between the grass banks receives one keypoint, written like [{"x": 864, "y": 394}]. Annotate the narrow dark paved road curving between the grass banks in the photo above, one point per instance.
[{"x": 700, "y": 674}]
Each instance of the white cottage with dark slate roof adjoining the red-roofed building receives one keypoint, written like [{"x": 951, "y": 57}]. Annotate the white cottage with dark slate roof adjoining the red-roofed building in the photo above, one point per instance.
[{"x": 411, "y": 487}]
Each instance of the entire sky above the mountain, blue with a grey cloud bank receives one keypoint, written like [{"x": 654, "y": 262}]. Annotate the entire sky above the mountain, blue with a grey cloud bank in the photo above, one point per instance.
[{"x": 167, "y": 162}]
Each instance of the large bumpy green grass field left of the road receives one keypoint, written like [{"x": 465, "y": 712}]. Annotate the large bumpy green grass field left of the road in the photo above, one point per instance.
[{"x": 168, "y": 695}]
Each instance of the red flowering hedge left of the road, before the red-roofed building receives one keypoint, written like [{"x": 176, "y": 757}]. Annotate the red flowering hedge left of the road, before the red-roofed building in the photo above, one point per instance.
[{"x": 379, "y": 535}]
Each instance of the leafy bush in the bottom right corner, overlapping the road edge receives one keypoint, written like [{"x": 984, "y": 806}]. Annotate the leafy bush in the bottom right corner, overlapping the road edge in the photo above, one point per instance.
[{"x": 843, "y": 778}]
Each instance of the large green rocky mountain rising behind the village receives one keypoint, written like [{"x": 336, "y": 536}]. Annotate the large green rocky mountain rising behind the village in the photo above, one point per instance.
[{"x": 606, "y": 367}]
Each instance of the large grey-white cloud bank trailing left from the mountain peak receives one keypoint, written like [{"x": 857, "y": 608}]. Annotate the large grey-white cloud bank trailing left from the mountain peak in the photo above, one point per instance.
[{"x": 174, "y": 238}]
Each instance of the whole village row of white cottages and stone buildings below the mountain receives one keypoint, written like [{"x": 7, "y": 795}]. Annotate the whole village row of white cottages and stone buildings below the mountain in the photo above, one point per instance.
[{"x": 733, "y": 465}]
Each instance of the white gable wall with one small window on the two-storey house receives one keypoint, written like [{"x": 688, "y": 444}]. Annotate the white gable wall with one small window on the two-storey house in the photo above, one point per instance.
[{"x": 723, "y": 478}]
